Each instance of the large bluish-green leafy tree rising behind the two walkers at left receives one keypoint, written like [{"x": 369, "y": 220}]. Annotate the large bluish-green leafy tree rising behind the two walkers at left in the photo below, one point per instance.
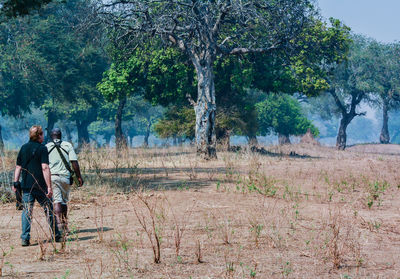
[{"x": 61, "y": 66}]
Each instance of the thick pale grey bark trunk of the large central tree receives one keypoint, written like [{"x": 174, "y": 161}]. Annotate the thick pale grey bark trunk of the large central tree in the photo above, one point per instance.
[{"x": 205, "y": 109}]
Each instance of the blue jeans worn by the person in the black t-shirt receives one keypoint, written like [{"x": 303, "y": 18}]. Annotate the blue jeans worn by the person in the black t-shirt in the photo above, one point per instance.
[{"x": 28, "y": 199}]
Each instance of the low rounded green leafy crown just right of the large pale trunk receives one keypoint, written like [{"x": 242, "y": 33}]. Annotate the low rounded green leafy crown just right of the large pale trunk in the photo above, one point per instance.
[{"x": 282, "y": 114}]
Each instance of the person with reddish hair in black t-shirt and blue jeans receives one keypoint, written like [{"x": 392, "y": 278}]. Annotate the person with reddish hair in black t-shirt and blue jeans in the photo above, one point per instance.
[{"x": 33, "y": 165}]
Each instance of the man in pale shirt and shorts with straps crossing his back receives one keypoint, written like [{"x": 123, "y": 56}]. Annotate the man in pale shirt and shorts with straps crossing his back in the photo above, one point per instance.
[{"x": 60, "y": 176}]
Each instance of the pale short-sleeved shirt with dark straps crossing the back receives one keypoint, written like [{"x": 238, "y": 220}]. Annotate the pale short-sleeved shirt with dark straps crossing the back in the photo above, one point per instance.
[{"x": 55, "y": 162}]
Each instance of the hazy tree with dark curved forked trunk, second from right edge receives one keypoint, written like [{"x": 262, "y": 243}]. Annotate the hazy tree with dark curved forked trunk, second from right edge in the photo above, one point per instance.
[{"x": 351, "y": 83}]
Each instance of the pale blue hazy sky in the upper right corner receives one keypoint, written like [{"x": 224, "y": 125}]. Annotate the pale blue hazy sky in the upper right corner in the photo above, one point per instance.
[{"x": 378, "y": 19}]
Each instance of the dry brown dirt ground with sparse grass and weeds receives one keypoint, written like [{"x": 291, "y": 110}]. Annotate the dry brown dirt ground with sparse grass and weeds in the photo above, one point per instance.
[{"x": 317, "y": 213}]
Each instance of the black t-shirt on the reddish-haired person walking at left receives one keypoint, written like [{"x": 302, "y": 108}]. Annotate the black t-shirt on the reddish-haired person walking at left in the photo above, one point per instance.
[{"x": 31, "y": 157}]
